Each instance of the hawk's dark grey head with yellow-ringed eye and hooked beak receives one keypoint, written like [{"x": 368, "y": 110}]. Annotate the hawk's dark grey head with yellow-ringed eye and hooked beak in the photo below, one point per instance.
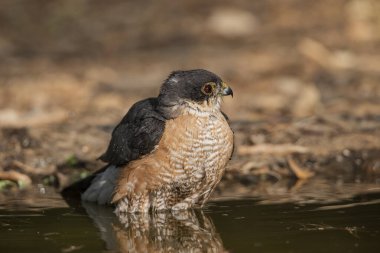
[{"x": 199, "y": 88}]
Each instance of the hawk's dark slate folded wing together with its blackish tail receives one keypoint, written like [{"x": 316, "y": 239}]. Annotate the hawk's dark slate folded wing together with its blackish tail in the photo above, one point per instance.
[{"x": 136, "y": 135}]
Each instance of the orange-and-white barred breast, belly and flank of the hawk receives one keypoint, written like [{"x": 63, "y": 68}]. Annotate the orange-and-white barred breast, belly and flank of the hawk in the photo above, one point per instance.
[{"x": 184, "y": 168}]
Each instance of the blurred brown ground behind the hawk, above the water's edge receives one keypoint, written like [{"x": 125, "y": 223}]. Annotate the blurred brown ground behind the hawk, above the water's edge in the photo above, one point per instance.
[{"x": 305, "y": 74}]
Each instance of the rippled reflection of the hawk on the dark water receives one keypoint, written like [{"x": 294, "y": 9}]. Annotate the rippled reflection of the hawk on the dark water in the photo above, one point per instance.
[{"x": 186, "y": 231}]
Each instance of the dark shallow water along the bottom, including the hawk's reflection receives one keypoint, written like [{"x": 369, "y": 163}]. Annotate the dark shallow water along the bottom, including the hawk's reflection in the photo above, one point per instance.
[{"x": 241, "y": 225}]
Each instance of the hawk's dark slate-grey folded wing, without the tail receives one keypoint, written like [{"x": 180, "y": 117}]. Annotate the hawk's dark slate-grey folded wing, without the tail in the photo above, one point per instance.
[{"x": 136, "y": 135}]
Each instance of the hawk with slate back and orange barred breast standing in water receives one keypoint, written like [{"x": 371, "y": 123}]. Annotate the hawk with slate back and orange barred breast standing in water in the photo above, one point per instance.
[{"x": 168, "y": 152}]
